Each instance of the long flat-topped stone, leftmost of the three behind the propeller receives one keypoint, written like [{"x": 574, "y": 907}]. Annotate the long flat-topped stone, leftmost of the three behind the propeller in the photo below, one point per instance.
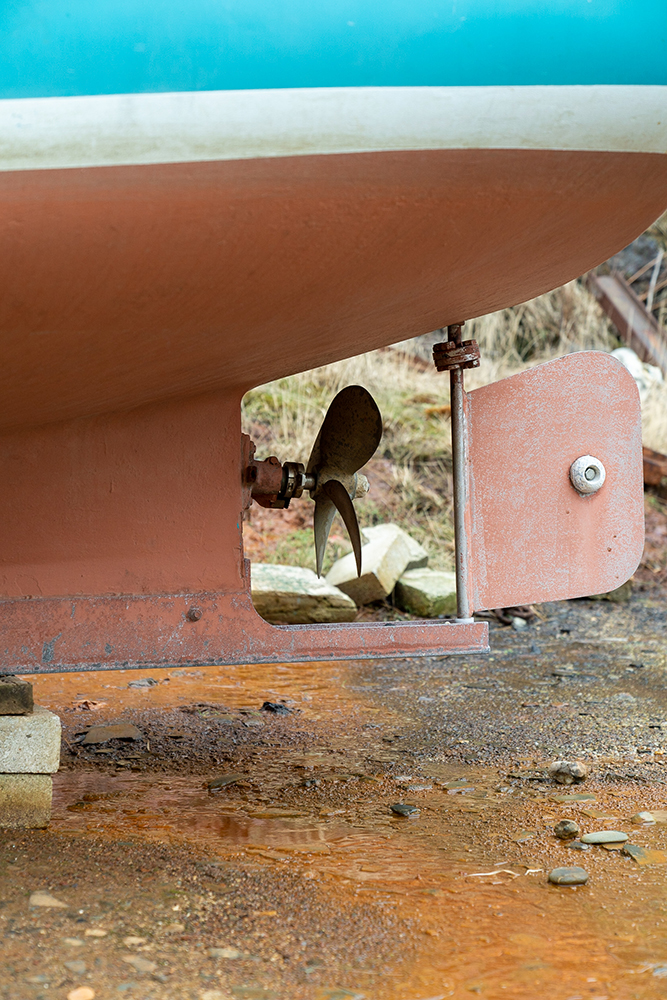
[{"x": 294, "y": 596}]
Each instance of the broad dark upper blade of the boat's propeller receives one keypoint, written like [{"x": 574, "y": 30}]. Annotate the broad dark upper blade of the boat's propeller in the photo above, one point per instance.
[{"x": 349, "y": 435}]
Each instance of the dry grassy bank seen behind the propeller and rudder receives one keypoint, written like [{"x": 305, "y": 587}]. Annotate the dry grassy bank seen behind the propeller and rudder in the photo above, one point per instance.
[{"x": 410, "y": 480}]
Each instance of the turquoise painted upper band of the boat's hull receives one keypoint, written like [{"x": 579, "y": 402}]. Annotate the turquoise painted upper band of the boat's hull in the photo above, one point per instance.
[{"x": 64, "y": 48}]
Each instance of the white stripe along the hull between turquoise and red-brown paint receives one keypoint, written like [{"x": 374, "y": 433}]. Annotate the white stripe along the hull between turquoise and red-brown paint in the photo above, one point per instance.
[{"x": 59, "y": 132}]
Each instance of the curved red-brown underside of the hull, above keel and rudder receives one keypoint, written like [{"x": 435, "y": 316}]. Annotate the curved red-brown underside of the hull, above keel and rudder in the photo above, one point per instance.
[{"x": 133, "y": 283}]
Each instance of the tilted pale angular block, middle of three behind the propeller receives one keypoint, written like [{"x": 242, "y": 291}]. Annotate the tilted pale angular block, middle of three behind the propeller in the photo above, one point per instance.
[{"x": 383, "y": 560}]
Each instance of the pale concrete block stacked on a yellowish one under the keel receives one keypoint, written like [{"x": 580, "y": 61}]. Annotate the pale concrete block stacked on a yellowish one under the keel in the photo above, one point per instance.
[{"x": 30, "y": 744}]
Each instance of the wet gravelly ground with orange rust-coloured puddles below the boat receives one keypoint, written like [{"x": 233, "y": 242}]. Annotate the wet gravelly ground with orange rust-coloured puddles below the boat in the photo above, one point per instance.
[{"x": 292, "y": 878}]
